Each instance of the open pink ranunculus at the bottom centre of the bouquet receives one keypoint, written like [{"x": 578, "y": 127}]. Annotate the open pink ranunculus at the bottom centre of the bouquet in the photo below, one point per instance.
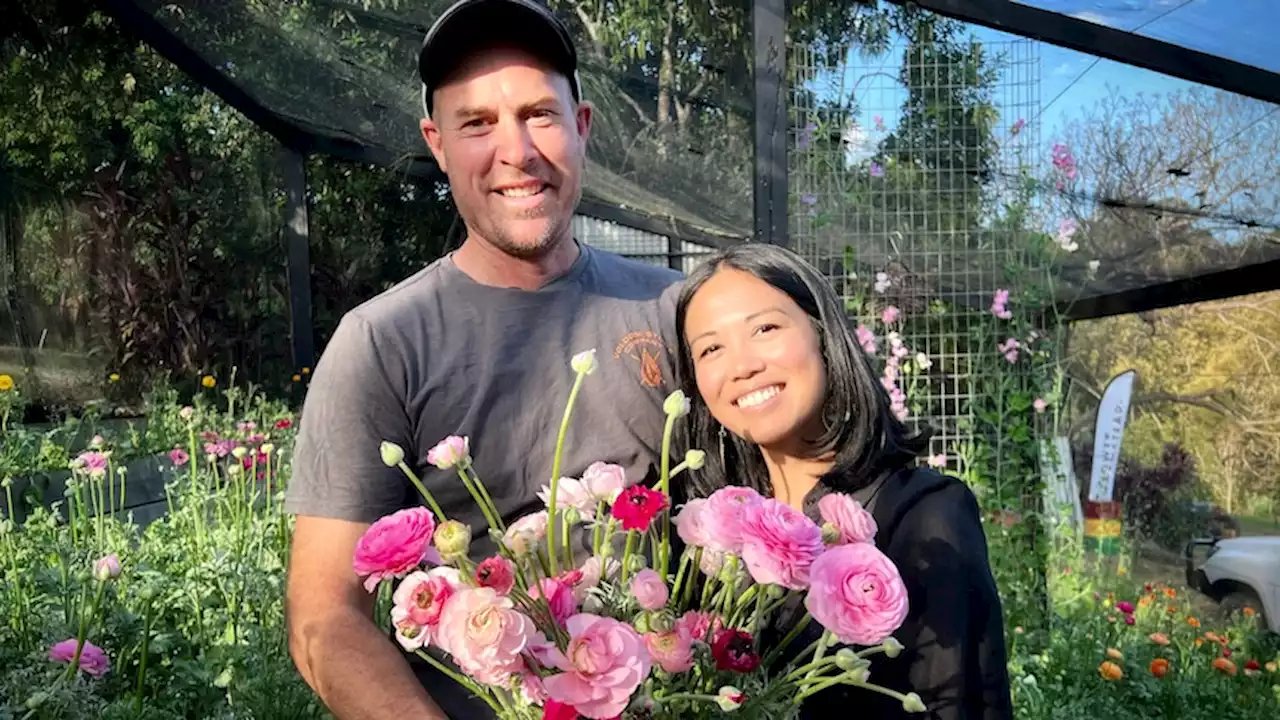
[{"x": 605, "y": 664}]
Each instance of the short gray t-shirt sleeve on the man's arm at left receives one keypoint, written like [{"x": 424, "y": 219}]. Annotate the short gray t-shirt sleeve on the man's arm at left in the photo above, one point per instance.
[{"x": 355, "y": 402}]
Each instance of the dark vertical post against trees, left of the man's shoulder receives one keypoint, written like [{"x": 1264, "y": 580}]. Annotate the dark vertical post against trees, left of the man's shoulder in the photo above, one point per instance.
[{"x": 299, "y": 270}]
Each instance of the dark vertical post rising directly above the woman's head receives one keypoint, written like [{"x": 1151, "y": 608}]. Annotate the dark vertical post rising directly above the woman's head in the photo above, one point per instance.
[{"x": 769, "y": 35}]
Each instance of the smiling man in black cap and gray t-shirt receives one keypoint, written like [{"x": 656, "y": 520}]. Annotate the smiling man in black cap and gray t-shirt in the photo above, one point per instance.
[{"x": 478, "y": 344}]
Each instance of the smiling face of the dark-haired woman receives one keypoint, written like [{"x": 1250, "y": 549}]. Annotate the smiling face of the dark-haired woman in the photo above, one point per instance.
[{"x": 757, "y": 359}]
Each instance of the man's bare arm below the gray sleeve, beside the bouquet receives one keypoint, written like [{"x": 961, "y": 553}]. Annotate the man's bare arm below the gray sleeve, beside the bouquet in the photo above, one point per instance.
[{"x": 348, "y": 660}]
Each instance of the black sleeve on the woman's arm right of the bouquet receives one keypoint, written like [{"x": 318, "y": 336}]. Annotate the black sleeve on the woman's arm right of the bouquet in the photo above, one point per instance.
[{"x": 954, "y": 640}]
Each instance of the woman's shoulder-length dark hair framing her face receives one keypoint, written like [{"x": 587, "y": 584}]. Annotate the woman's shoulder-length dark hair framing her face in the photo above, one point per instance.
[{"x": 871, "y": 441}]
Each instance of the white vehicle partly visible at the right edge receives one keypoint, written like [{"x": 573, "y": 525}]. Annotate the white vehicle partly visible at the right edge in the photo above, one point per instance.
[{"x": 1240, "y": 573}]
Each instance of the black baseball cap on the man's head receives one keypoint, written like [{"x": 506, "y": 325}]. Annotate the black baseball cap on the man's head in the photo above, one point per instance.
[{"x": 469, "y": 25}]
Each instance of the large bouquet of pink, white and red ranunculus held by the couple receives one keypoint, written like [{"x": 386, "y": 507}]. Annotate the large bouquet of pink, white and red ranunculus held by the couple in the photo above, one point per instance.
[{"x": 534, "y": 632}]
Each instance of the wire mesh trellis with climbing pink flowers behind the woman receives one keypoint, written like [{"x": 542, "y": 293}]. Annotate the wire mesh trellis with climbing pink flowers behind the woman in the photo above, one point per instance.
[{"x": 908, "y": 179}]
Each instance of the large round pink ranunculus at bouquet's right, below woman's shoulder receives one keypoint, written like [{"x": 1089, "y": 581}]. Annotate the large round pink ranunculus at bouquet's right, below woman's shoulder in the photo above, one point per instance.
[{"x": 857, "y": 593}]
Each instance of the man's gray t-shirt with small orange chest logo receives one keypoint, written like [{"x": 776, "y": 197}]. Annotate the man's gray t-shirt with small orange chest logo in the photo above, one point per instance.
[{"x": 441, "y": 354}]
